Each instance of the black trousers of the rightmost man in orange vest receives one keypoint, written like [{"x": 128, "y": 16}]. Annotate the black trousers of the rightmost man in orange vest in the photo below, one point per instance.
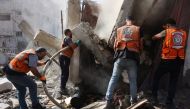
[{"x": 172, "y": 67}]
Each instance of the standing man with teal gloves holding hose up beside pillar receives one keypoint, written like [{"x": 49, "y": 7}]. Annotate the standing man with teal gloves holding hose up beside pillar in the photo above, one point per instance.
[{"x": 65, "y": 57}]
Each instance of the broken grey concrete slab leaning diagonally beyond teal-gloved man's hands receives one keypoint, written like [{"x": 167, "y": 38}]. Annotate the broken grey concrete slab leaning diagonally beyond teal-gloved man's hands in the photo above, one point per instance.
[{"x": 86, "y": 34}]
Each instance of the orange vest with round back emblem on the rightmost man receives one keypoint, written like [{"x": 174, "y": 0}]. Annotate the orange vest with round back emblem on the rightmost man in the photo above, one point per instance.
[{"x": 174, "y": 44}]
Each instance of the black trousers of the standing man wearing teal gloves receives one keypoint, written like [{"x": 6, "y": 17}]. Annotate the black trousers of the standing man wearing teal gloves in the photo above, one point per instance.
[{"x": 64, "y": 64}]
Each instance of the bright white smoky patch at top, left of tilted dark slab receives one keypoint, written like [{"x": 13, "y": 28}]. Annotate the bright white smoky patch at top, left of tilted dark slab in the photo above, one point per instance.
[{"x": 107, "y": 18}]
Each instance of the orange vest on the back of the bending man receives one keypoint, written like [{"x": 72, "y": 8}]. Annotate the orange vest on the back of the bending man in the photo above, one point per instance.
[{"x": 20, "y": 62}]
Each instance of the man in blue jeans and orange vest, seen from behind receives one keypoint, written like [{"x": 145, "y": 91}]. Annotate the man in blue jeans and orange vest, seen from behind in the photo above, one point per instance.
[{"x": 127, "y": 47}]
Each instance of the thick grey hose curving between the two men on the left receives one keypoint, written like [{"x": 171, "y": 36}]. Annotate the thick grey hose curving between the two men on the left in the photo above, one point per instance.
[{"x": 44, "y": 85}]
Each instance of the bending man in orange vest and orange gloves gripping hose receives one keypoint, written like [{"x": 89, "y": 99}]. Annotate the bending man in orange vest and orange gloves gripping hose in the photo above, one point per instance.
[{"x": 16, "y": 72}]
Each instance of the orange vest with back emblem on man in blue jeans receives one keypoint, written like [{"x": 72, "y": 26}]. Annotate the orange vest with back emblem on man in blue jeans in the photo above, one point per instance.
[{"x": 128, "y": 37}]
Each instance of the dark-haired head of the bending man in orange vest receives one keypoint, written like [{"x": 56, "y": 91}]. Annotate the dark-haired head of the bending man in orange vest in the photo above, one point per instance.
[{"x": 41, "y": 52}]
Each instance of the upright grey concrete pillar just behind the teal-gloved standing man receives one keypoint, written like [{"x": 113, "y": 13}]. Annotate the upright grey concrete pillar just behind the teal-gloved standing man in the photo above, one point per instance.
[{"x": 73, "y": 19}]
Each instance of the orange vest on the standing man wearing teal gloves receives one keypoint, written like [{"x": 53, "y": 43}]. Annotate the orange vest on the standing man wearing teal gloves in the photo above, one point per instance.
[{"x": 69, "y": 52}]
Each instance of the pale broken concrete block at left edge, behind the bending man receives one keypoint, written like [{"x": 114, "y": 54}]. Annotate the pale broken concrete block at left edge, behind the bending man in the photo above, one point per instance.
[{"x": 5, "y": 85}]
